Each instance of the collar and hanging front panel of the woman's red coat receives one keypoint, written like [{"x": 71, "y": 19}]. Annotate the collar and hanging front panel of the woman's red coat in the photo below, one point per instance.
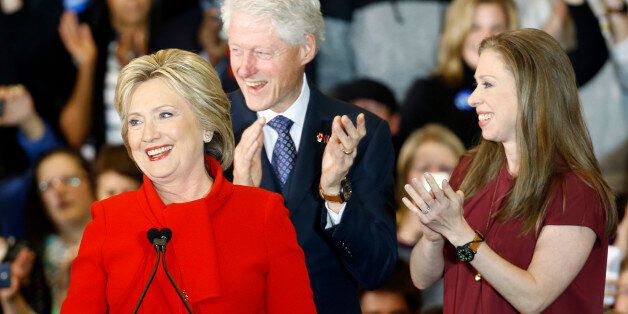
[{"x": 193, "y": 240}]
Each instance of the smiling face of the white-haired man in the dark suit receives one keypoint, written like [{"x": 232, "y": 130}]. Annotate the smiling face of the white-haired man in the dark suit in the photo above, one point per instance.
[{"x": 269, "y": 71}]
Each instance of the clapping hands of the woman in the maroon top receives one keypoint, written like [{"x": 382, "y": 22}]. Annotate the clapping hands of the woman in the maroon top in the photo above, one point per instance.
[{"x": 439, "y": 210}]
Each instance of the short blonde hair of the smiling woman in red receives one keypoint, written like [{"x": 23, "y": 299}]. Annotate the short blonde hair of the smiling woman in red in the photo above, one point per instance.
[{"x": 191, "y": 77}]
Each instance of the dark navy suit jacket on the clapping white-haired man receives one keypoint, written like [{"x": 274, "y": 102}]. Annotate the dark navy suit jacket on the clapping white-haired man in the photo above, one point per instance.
[{"x": 361, "y": 249}]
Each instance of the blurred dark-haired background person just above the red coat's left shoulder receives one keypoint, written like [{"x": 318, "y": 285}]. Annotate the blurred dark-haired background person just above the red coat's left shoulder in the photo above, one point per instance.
[{"x": 114, "y": 172}]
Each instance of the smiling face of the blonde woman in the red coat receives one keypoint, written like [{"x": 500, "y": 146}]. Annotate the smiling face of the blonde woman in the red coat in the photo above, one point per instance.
[{"x": 164, "y": 136}]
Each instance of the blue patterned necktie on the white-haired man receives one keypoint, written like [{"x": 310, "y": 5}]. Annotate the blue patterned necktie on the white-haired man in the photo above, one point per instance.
[{"x": 284, "y": 152}]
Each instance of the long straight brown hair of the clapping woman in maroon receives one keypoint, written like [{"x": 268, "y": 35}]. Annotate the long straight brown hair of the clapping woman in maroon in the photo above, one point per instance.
[{"x": 552, "y": 138}]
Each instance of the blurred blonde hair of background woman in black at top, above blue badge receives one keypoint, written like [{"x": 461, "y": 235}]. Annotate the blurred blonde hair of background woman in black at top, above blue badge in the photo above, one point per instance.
[{"x": 458, "y": 24}]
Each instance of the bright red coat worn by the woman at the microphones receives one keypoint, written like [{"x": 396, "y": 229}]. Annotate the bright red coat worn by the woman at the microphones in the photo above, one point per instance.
[{"x": 234, "y": 251}]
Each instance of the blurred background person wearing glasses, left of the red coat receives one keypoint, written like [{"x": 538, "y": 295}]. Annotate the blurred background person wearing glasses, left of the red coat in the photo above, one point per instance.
[{"x": 56, "y": 224}]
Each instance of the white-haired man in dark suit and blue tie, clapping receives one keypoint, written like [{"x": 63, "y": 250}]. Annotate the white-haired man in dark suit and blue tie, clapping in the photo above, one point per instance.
[{"x": 336, "y": 178}]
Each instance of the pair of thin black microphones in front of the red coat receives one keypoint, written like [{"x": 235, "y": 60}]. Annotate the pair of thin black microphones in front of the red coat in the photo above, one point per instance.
[{"x": 159, "y": 239}]
